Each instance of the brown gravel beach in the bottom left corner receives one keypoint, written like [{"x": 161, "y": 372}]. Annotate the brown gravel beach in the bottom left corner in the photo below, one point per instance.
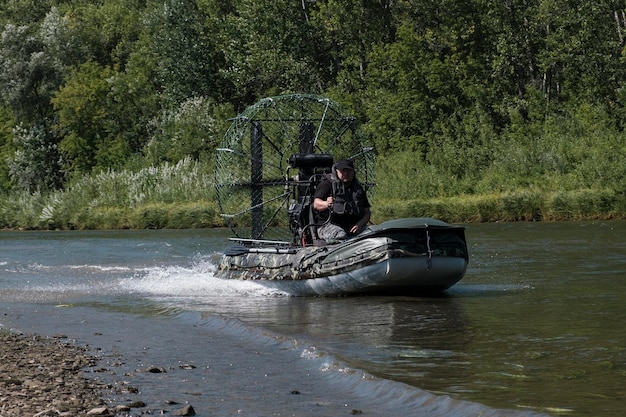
[{"x": 42, "y": 376}]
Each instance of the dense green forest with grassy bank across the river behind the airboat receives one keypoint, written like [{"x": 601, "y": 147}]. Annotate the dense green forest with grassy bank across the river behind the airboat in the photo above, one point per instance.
[{"x": 479, "y": 110}]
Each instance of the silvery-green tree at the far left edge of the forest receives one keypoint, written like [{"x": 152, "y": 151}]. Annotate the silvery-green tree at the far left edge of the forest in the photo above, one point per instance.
[{"x": 32, "y": 66}]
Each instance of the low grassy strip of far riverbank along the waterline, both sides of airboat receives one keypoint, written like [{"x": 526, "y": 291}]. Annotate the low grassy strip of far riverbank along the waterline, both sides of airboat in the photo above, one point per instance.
[{"x": 38, "y": 213}]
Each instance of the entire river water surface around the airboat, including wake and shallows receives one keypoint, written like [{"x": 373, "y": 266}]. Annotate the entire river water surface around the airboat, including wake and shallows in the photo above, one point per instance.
[{"x": 535, "y": 327}]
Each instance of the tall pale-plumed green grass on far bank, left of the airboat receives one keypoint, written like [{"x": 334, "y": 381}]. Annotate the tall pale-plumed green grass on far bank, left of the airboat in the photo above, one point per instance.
[{"x": 172, "y": 195}]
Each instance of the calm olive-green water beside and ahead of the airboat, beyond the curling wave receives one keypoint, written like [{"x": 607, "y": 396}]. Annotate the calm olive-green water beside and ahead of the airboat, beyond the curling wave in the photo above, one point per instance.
[{"x": 537, "y": 323}]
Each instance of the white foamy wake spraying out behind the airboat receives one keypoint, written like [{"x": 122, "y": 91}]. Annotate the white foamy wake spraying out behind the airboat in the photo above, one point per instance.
[{"x": 70, "y": 283}]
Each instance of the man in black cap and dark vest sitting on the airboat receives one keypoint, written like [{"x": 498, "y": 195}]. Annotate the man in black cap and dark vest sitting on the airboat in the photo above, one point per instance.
[{"x": 342, "y": 197}]
